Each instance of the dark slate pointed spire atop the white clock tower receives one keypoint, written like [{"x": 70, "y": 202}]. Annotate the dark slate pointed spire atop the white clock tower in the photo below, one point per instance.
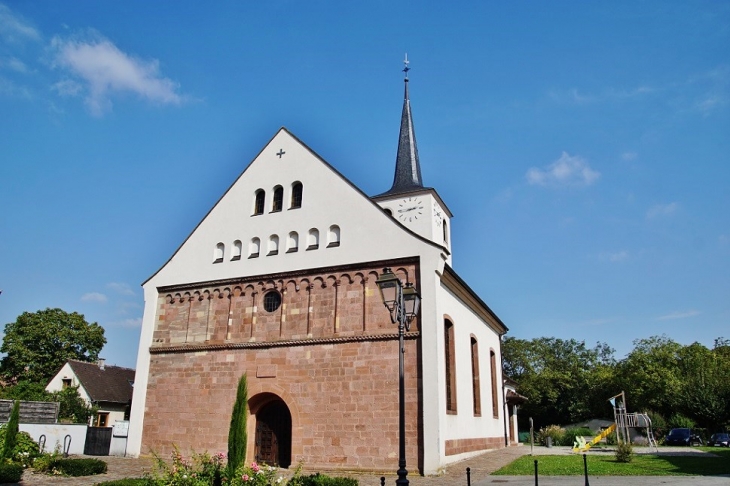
[{"x": 407, "y": 168}]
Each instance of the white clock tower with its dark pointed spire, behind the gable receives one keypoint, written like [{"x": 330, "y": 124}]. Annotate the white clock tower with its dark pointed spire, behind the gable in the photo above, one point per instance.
[{"x": 418, "y": 208}]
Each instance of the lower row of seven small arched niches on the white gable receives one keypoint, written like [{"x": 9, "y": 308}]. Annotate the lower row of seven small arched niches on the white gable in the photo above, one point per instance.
[{"x": 273, "y": 245}]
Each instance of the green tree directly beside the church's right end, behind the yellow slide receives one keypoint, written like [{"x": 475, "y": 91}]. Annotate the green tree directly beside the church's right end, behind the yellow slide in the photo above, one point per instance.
[{"x": 564, "y": 380}]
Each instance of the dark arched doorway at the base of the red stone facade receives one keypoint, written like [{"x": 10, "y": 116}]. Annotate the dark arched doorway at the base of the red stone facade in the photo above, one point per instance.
[{"x": 273, "y": 434}]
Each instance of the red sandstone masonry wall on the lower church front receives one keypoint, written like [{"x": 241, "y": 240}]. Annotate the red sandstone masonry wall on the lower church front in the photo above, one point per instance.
[{"x": 329, "y": 352}]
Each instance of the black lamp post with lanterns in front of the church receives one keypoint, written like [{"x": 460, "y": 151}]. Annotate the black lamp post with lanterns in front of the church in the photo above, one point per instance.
[{"x": 402, "y": 303}]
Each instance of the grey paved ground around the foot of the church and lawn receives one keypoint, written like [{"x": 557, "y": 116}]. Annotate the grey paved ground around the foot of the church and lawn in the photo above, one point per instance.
[{"x": 454, "y": 475}]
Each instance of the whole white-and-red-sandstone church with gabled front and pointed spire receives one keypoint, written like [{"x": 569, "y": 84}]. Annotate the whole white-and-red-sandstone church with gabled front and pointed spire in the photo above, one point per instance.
[{"x": 278, "y": 282}]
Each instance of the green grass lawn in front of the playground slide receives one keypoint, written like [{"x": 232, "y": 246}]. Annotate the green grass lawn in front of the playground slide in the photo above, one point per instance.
[{"x": 606, "y": 465}]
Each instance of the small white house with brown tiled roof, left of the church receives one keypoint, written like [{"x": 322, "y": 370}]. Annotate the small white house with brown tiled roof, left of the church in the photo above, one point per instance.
[{"x": 107, "y": 387}]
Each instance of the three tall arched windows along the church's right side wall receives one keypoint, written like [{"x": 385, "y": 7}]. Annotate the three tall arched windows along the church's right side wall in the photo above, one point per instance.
[{"x": 450, "y": 367}]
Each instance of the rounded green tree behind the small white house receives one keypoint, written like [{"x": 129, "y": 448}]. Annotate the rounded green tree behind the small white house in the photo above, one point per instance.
[{"x": 37, "y": 344}]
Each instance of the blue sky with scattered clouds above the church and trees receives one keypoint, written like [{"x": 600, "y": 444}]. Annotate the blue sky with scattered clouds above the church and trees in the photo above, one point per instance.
[{"x": 583, "y": 147}]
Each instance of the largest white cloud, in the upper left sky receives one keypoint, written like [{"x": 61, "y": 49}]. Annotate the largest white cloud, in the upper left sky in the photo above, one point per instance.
[{"x": 104, "y": 70}]
